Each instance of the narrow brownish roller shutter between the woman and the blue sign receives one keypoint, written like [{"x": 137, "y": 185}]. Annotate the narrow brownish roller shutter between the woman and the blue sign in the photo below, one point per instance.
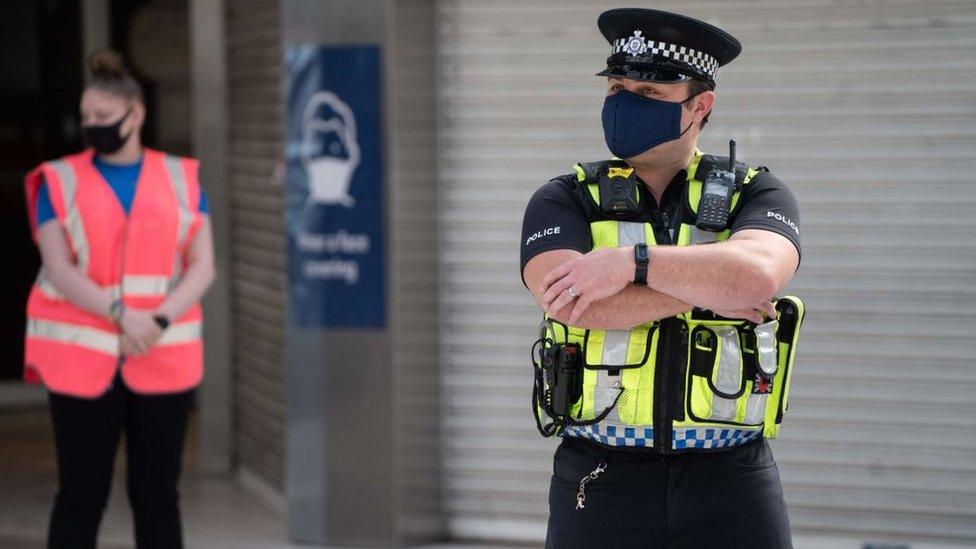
[{"x": 254, "y": 149}]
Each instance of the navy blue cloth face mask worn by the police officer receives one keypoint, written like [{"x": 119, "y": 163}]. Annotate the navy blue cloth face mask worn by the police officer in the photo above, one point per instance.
[{"x": 633, "y": 124}]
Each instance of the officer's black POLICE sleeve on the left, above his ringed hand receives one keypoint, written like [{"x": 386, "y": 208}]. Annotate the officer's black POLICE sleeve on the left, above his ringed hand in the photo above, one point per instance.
[{"x": 553, "y": 220}]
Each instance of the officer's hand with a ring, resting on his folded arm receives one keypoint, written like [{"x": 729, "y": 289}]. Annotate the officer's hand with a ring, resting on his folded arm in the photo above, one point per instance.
[{"x": 593, "y": 276}]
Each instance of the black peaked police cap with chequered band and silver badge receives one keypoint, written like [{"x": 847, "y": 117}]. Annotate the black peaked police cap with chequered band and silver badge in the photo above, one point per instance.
[{"x": 659, "y": 46}]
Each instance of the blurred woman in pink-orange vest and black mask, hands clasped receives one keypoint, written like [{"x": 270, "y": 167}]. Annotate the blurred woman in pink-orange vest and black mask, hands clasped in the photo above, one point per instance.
[{"x": 114, "y": 320}]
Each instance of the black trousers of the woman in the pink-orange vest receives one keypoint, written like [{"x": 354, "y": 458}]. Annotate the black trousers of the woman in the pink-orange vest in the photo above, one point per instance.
[{"x": 86, "y": 435}]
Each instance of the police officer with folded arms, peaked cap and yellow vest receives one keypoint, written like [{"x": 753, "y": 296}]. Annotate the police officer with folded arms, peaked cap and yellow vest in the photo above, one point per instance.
[{"x": 665, "y": 441}]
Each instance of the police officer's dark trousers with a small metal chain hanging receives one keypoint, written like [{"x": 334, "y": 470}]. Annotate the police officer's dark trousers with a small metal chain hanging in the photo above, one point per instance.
[{"x": 723, "y": 499}]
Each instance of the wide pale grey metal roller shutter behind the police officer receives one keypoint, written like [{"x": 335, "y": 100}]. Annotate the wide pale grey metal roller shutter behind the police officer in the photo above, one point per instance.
[{"x": 866, "y": 110}]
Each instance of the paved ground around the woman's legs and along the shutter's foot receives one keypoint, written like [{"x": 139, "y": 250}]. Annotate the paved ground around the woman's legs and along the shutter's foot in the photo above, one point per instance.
[{"x": 217, "y": 512}]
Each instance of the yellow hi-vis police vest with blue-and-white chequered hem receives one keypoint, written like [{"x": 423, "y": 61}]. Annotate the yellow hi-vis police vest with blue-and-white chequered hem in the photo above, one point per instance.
[{"x": 691, "y": 381}]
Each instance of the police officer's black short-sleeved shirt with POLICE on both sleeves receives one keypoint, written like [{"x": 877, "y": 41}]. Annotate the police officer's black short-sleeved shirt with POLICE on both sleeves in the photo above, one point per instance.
[{"x": 556, "y": 218}]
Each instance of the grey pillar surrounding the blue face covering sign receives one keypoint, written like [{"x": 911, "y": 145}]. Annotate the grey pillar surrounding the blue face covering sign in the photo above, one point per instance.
[{"x": 355, "y": 476}]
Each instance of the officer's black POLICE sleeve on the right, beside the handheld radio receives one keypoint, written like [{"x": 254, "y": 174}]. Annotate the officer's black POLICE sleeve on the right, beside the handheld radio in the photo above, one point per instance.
[{"x": 767, "y": 203}]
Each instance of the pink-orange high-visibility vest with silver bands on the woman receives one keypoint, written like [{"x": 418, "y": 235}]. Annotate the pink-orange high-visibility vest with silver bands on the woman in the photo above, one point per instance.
[{"x": 140, "y": 257}]
